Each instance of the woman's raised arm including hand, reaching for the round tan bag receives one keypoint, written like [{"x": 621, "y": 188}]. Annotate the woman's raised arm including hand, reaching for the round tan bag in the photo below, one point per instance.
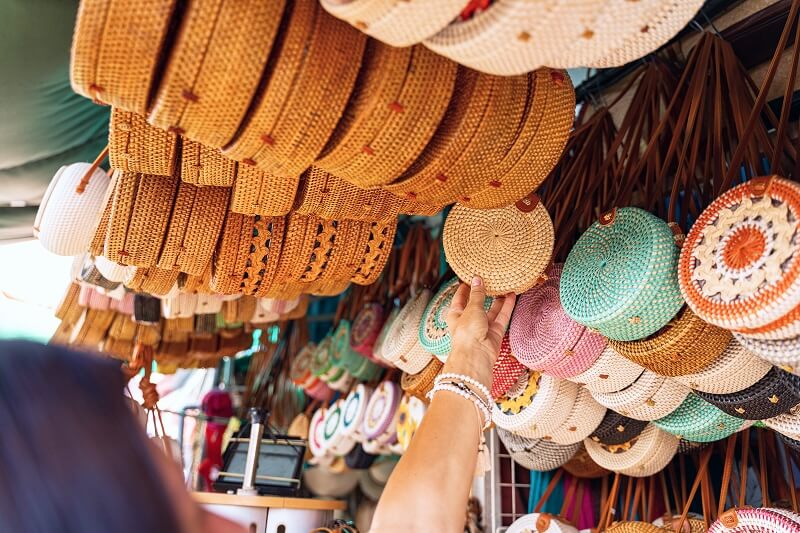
[{"x": 429, "y": 489}]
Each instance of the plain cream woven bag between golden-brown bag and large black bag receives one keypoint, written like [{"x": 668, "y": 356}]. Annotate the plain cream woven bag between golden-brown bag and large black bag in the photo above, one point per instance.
[{"x": 735, "y": 370}]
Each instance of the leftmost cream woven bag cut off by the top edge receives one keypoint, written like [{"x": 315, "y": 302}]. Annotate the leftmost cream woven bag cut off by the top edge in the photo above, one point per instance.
[{"x": 397, "y": 23}]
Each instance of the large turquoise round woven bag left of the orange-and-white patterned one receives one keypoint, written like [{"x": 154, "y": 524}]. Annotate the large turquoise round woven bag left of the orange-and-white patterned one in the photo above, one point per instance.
[{"x": 621, "y": 277}]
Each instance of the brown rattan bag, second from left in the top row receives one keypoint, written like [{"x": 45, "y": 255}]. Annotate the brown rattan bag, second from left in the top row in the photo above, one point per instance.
[{"x": 198, "y": 96}]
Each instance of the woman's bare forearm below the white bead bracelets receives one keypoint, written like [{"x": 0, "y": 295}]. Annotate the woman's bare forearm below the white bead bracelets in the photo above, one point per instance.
[{"x": 429, "y": 489}]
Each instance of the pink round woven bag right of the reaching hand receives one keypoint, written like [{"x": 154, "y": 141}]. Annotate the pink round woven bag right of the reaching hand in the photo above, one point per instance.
[{"x": 543, "y": 337}]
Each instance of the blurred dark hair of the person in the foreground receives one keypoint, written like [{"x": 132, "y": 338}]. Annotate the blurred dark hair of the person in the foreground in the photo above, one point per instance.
[{"x": 73, "y": 458}]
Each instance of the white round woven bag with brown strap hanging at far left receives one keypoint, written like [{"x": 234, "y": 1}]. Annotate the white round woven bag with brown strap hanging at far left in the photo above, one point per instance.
[{"x": 66, "y": 220}]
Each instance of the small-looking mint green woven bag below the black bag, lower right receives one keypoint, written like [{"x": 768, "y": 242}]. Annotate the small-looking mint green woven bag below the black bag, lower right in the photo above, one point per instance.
[{"x": 696, "y": 420}]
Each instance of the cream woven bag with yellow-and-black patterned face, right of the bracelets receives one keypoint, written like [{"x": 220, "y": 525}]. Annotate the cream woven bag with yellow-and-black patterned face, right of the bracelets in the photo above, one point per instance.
[{"x": 536, "y": 405}]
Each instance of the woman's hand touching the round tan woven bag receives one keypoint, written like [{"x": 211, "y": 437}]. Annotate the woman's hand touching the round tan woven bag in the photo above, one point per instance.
[{"x": 476, "y": 334}]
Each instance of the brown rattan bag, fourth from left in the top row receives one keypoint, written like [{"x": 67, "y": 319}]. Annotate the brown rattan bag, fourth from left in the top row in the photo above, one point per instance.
[{"x": 400, "y": 98}]
